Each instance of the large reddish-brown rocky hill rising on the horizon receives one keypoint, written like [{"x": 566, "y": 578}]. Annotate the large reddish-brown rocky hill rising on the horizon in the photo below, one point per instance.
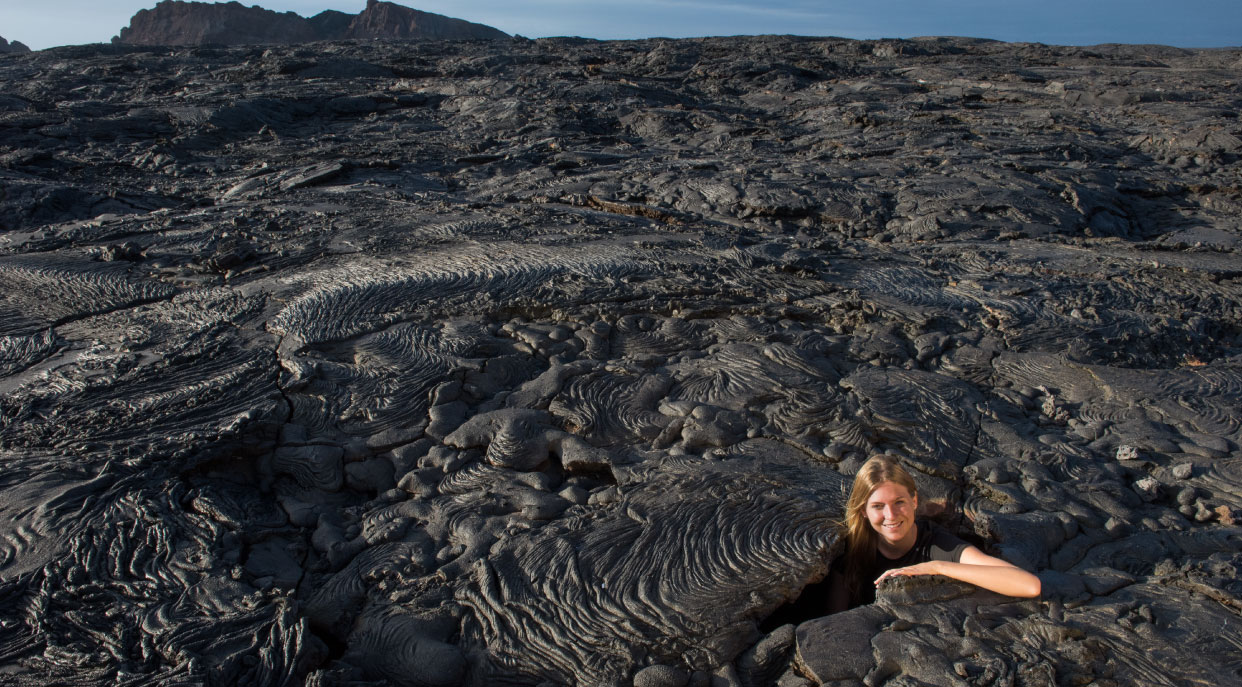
[{"x": 177, "y": 23}]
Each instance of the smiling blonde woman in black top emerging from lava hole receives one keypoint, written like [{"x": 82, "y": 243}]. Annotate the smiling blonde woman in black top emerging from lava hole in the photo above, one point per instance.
[{"x": 884, "y": 539}]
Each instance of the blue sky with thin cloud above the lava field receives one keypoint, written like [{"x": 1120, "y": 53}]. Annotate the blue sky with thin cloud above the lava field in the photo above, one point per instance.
[{"x": 1185, "y": 23}]
